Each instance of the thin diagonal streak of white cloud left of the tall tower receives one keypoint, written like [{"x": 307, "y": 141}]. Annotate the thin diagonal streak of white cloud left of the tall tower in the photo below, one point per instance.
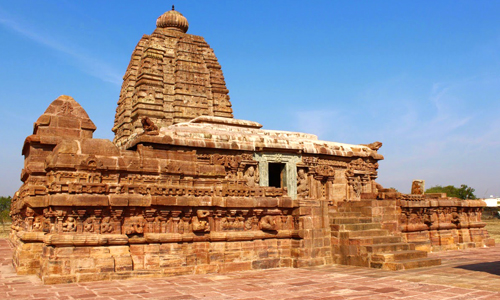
[{"x": 91, "y": 66}]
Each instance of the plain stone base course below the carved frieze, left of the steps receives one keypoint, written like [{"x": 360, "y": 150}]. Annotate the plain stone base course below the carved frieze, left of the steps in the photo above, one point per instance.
[{"x": 64, "y": 264}]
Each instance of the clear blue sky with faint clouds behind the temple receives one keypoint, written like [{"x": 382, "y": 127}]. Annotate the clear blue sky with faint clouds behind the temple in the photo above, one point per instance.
[{"x": 423, "y": 77}]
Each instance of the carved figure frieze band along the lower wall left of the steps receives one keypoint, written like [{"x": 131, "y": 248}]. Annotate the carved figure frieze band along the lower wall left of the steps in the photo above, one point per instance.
[{"x": 140, "y": 221}]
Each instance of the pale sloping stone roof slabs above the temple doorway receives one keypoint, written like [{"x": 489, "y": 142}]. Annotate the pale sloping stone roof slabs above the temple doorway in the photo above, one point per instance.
[{"x": 232, "y": 134}]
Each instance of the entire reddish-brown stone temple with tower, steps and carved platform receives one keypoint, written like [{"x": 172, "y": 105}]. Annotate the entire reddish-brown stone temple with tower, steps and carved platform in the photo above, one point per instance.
[{"x": 185, "y": 188}]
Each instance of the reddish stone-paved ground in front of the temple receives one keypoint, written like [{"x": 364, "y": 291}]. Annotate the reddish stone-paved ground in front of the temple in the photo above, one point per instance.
[{"x": 465, "y": 274}]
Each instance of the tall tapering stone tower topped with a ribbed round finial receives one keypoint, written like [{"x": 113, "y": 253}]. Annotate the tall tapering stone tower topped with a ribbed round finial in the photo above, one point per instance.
[{"x": 173, "y": 77}]
